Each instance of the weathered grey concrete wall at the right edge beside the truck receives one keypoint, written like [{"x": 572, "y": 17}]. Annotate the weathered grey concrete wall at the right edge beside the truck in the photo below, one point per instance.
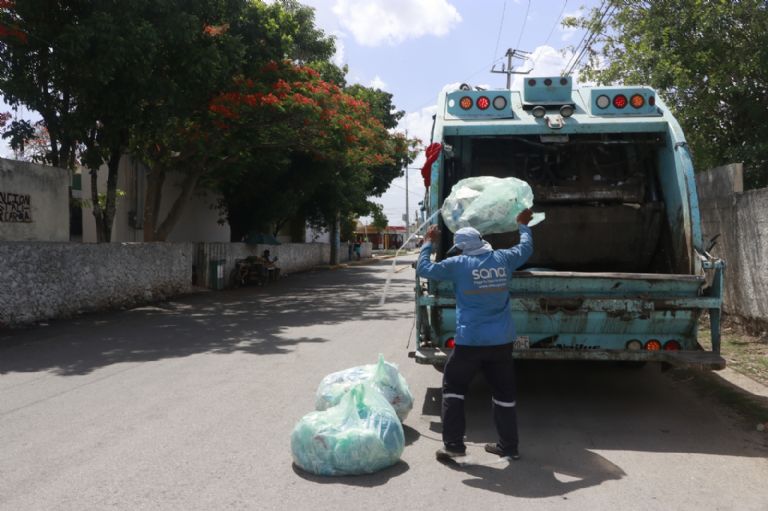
[{"x": 741, "y": 219}]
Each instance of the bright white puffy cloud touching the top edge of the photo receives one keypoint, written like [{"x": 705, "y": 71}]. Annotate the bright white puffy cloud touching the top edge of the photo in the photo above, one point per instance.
[{"x": 377, "y": 22}]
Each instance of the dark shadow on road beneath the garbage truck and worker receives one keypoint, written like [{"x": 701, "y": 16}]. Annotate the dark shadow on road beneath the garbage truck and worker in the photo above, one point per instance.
[{"x": 572, "y": 414}]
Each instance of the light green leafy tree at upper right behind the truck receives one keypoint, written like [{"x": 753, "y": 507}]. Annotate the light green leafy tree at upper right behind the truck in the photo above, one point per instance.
[{"x": 709, "y": 61}]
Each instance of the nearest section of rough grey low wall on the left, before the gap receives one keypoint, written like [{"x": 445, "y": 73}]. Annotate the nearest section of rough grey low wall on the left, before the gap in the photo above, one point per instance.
[{"x": 50, "y": 280}]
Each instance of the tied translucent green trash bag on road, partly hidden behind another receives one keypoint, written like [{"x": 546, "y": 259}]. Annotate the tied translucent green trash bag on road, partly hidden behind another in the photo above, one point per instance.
[{"x": 383, "y": 375}]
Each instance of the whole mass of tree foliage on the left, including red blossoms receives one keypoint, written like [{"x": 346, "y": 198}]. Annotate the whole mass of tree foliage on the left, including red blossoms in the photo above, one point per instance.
[{"x": 239, "y": 96}]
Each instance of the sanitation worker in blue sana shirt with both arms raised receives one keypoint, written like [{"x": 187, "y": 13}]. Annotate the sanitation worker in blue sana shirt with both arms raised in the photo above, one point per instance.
[{"x": 484, "y": 331}]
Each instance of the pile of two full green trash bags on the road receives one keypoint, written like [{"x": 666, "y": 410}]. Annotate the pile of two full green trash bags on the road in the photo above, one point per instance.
[{"x": 355, "y": 429}]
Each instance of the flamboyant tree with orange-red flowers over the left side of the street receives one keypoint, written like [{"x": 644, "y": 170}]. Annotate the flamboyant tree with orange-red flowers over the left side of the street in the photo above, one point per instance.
[{"x": 283, "y": 143}]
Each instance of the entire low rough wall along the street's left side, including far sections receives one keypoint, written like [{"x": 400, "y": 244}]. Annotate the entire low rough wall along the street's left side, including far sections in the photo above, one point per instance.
[{"x": 45, "y": 280}]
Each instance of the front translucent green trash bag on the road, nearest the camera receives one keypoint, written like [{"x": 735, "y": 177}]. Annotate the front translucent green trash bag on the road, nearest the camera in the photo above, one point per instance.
[{"x": 360, "y": 435}]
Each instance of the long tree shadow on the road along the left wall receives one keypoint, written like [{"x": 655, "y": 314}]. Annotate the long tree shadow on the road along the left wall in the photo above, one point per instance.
[{"x": 251, "y": 320}]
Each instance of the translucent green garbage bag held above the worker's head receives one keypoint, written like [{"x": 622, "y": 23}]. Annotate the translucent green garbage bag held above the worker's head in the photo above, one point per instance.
[{"x": 489, "y": 204}]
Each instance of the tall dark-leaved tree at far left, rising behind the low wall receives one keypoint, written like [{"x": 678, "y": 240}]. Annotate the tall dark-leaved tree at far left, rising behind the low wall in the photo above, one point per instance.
[{"x": 97, "y": 71}]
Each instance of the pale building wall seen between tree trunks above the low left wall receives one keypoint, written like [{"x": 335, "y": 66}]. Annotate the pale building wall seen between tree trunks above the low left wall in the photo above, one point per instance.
[{"x": 199, "y": 221}]
